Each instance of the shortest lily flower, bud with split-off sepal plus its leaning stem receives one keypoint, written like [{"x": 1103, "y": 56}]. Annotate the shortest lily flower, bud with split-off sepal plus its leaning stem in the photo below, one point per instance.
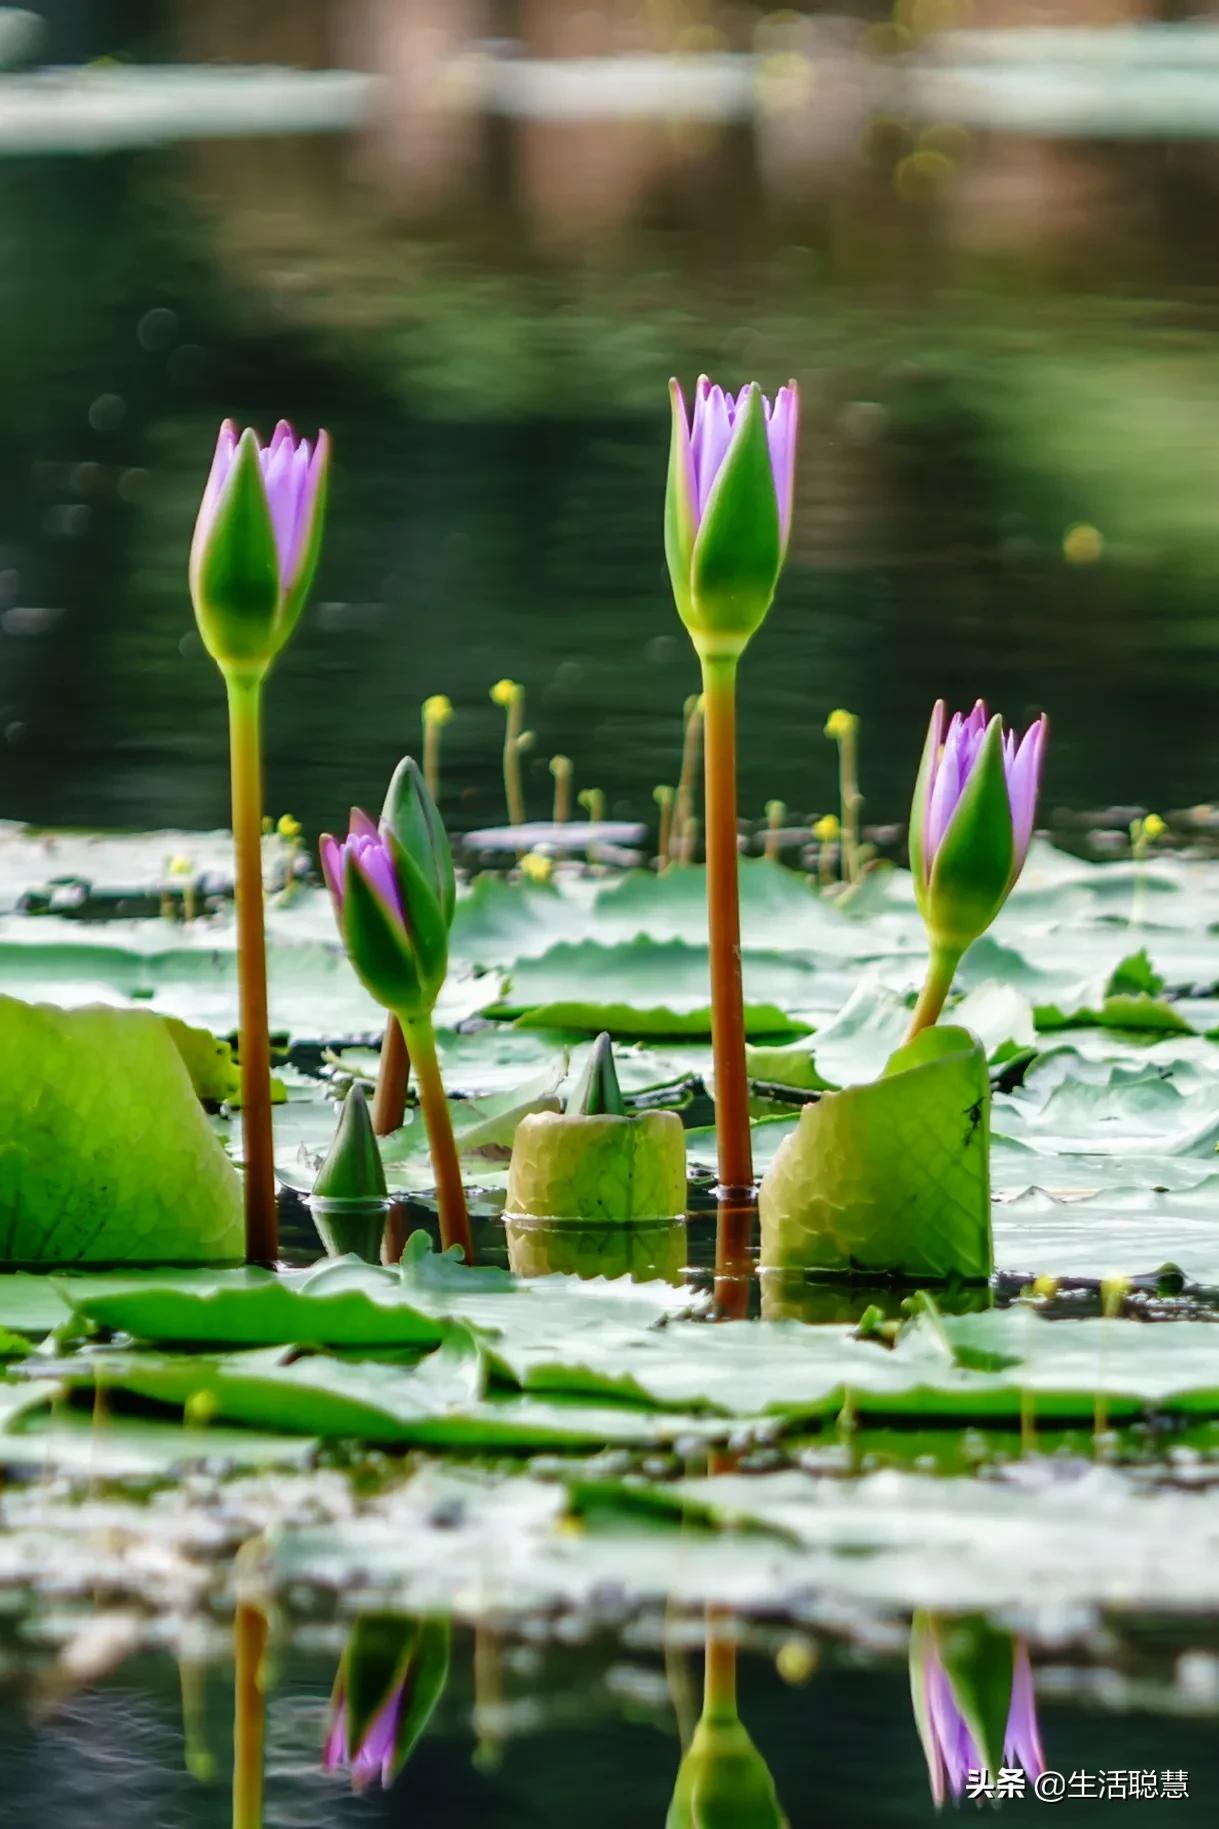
[{"x": 394, "y": 895}]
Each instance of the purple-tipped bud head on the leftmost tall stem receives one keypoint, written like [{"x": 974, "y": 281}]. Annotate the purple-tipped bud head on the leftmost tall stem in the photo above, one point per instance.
[{"x": 257, "y": 542}]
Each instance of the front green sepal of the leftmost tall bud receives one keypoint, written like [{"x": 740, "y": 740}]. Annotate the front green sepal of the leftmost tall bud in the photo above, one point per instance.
[{"x": 235, "y": 570}]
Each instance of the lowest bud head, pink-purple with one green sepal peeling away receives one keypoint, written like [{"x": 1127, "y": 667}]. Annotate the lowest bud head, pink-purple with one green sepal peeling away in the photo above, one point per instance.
[{"x": 394, "y": 895}]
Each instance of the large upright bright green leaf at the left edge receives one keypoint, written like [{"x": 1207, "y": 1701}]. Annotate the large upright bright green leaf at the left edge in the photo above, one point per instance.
[{"x": 105, "y": 1153}]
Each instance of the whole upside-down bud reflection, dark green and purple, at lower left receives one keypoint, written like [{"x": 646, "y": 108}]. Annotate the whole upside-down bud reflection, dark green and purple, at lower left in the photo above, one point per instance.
[{"x": 389, "y": 1684}]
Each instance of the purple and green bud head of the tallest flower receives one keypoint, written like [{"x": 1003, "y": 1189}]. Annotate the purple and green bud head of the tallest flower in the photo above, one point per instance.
[{"x": 728, "y": 511}]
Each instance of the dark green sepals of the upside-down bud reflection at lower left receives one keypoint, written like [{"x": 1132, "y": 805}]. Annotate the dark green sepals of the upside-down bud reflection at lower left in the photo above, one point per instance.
[{"x": 387, "y": 1653}]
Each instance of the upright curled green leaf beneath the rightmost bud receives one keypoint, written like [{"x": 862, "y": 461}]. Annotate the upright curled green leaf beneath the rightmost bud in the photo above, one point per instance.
[{"x": 894, "y": 1177}]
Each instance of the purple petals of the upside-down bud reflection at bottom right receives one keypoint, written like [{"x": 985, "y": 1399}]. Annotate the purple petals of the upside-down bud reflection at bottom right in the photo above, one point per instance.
[{"x": 951, "y": 1740}]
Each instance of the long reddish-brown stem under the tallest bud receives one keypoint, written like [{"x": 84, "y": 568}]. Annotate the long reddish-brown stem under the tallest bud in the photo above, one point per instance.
[{"x": 724, "y": 917}]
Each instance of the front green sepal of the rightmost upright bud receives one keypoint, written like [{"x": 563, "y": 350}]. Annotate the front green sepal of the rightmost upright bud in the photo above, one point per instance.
[{"x": 976, "y": 859}]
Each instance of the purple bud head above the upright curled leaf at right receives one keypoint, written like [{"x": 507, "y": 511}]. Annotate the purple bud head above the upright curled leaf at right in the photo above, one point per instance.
[{"x": 971, "y": 822}]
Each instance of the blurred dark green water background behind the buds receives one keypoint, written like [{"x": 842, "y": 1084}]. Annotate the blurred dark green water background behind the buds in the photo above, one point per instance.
[{"x": 984, "y": 242}]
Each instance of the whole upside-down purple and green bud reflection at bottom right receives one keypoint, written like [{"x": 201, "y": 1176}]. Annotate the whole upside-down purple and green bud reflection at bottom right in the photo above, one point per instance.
[{"x": 975, "y": 1704}]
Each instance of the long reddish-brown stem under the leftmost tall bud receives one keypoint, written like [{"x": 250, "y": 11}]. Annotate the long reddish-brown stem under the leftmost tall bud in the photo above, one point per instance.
[{"x": 255, "y": 1032}]
